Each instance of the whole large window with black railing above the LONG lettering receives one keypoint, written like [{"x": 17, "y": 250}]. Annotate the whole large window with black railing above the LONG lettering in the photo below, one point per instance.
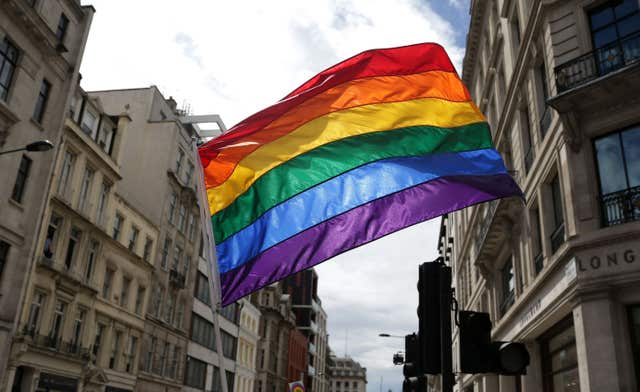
[{"x": 618, "y": 162}]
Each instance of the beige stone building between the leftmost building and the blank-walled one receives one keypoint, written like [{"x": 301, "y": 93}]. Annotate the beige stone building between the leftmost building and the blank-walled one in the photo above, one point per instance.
[{"x": 83, "y": 314}]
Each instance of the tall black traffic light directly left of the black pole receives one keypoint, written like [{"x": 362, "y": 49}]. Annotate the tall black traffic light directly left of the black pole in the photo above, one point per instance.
[{"x": 429, "y": 317}]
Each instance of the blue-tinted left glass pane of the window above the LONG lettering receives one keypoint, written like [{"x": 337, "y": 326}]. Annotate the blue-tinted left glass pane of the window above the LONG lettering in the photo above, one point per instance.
[{"x": 610, "y": 164}]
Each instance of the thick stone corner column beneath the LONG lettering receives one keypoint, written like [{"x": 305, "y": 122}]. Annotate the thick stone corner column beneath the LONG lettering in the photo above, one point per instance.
[{"x": 597, "y": 363}]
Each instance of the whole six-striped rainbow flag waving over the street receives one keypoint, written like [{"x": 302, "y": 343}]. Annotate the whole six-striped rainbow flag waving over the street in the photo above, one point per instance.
[{"x": 379, "y": 142}]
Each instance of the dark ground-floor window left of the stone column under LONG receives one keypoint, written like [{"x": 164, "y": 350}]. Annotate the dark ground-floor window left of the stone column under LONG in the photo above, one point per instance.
[{"x": 560, "y": 358}]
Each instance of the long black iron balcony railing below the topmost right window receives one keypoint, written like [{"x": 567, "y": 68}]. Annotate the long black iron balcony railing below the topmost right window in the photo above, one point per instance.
[{"x": 598, "y": 63}]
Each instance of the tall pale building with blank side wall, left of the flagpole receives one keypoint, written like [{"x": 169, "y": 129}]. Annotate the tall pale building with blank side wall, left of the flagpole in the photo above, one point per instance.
[{"x": 163, "y": 187}]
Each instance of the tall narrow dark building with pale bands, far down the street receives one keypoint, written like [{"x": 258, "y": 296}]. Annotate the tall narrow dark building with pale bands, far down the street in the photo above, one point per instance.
[{"x": 311, "y": 320}]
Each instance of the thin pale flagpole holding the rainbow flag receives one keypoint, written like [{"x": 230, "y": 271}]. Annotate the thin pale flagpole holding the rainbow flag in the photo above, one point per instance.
[{"x": 209, "y": 246}]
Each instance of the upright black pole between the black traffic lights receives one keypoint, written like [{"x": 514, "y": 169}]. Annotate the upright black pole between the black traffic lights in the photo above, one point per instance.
[{"x": 445, "y": 330}]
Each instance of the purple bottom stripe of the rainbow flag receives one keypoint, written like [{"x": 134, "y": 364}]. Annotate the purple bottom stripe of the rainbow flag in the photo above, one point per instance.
[{"x": 361, "y": 225}]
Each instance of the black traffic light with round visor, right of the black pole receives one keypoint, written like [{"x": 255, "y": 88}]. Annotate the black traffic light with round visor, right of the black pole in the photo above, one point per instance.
[{"x": 478, "y": 354}]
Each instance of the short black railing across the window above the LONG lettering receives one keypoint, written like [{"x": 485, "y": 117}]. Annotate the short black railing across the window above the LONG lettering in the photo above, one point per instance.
[{"x": 620, "y": 207}]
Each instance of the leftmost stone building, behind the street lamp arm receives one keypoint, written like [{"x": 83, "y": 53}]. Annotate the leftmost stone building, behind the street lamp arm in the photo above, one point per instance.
[{"x": 41, "y": 47}]
